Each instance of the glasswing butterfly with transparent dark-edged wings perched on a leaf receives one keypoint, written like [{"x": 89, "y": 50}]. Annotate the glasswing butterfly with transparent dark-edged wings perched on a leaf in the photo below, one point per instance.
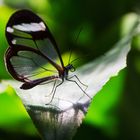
[{"x": 32, "y": 46}]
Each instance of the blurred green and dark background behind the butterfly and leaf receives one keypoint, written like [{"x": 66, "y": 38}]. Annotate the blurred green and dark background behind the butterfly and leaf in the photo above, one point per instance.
[{"x": 115, "y": 110}]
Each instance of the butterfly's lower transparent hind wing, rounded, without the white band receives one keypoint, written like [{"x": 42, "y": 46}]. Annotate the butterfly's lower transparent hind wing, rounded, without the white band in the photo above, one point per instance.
[{"x": 28, "y": 65}]
